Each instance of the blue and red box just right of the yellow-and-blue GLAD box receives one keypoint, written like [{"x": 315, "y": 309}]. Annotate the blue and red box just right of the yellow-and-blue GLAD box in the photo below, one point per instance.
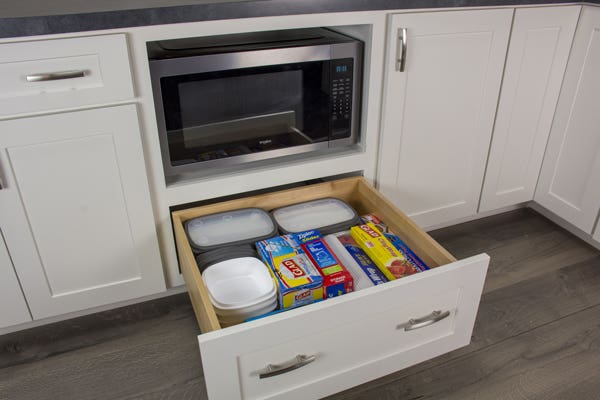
[{"x": 336, "y": 278}]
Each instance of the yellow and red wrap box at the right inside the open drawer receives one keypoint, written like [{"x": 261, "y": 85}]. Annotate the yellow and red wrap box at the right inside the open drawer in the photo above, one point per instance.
[{"x": 388, "y": 259}]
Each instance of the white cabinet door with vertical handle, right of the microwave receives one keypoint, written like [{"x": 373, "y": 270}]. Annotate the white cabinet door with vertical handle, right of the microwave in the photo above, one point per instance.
[{"x": 439, "y": 112}]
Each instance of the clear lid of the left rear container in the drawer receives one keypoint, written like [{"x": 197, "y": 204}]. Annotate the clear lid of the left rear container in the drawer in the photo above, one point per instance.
[{"x": 228, "y": 228}]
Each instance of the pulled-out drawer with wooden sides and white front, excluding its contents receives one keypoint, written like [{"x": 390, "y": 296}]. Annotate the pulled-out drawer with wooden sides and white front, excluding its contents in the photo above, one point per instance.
[{"x": 323, "y": 348}]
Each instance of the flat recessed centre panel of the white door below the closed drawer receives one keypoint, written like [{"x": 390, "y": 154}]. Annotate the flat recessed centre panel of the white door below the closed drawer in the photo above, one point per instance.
[{"x": 75, "y": 206}]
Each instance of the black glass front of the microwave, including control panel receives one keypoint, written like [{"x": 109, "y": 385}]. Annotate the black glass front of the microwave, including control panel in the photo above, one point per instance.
[{"x": 229, "y": 113}]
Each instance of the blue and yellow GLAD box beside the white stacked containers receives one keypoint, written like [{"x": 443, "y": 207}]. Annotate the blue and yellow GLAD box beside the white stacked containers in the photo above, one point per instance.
[{"x": 298, "y": 279}]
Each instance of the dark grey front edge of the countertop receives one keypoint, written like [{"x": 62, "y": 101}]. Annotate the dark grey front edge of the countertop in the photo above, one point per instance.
[{"x": 69, "y": 23}]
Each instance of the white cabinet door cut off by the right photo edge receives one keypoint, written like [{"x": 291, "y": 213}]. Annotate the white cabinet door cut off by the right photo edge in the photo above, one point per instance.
[{"x": 569, "y": 183}]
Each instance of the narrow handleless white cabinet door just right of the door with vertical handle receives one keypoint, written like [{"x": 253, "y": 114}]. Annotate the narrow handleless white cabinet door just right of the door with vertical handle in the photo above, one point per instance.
[{"x": 537, "y": 57}]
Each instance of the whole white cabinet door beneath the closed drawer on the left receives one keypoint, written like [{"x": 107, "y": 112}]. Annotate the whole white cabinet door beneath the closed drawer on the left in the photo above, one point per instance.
[{"x": 81, "y": 228}]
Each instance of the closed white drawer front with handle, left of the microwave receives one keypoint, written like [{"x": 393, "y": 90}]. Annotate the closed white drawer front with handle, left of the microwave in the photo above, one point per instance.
[{"x": 63, "y": 73}]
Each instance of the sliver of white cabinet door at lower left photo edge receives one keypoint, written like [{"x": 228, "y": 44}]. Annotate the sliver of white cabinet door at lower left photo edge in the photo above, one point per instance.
[{"x": 13, "y": 309}]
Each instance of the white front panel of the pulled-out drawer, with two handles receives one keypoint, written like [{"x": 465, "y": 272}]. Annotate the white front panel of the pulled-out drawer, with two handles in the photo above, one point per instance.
[{"x": 354, "y": 338}]
